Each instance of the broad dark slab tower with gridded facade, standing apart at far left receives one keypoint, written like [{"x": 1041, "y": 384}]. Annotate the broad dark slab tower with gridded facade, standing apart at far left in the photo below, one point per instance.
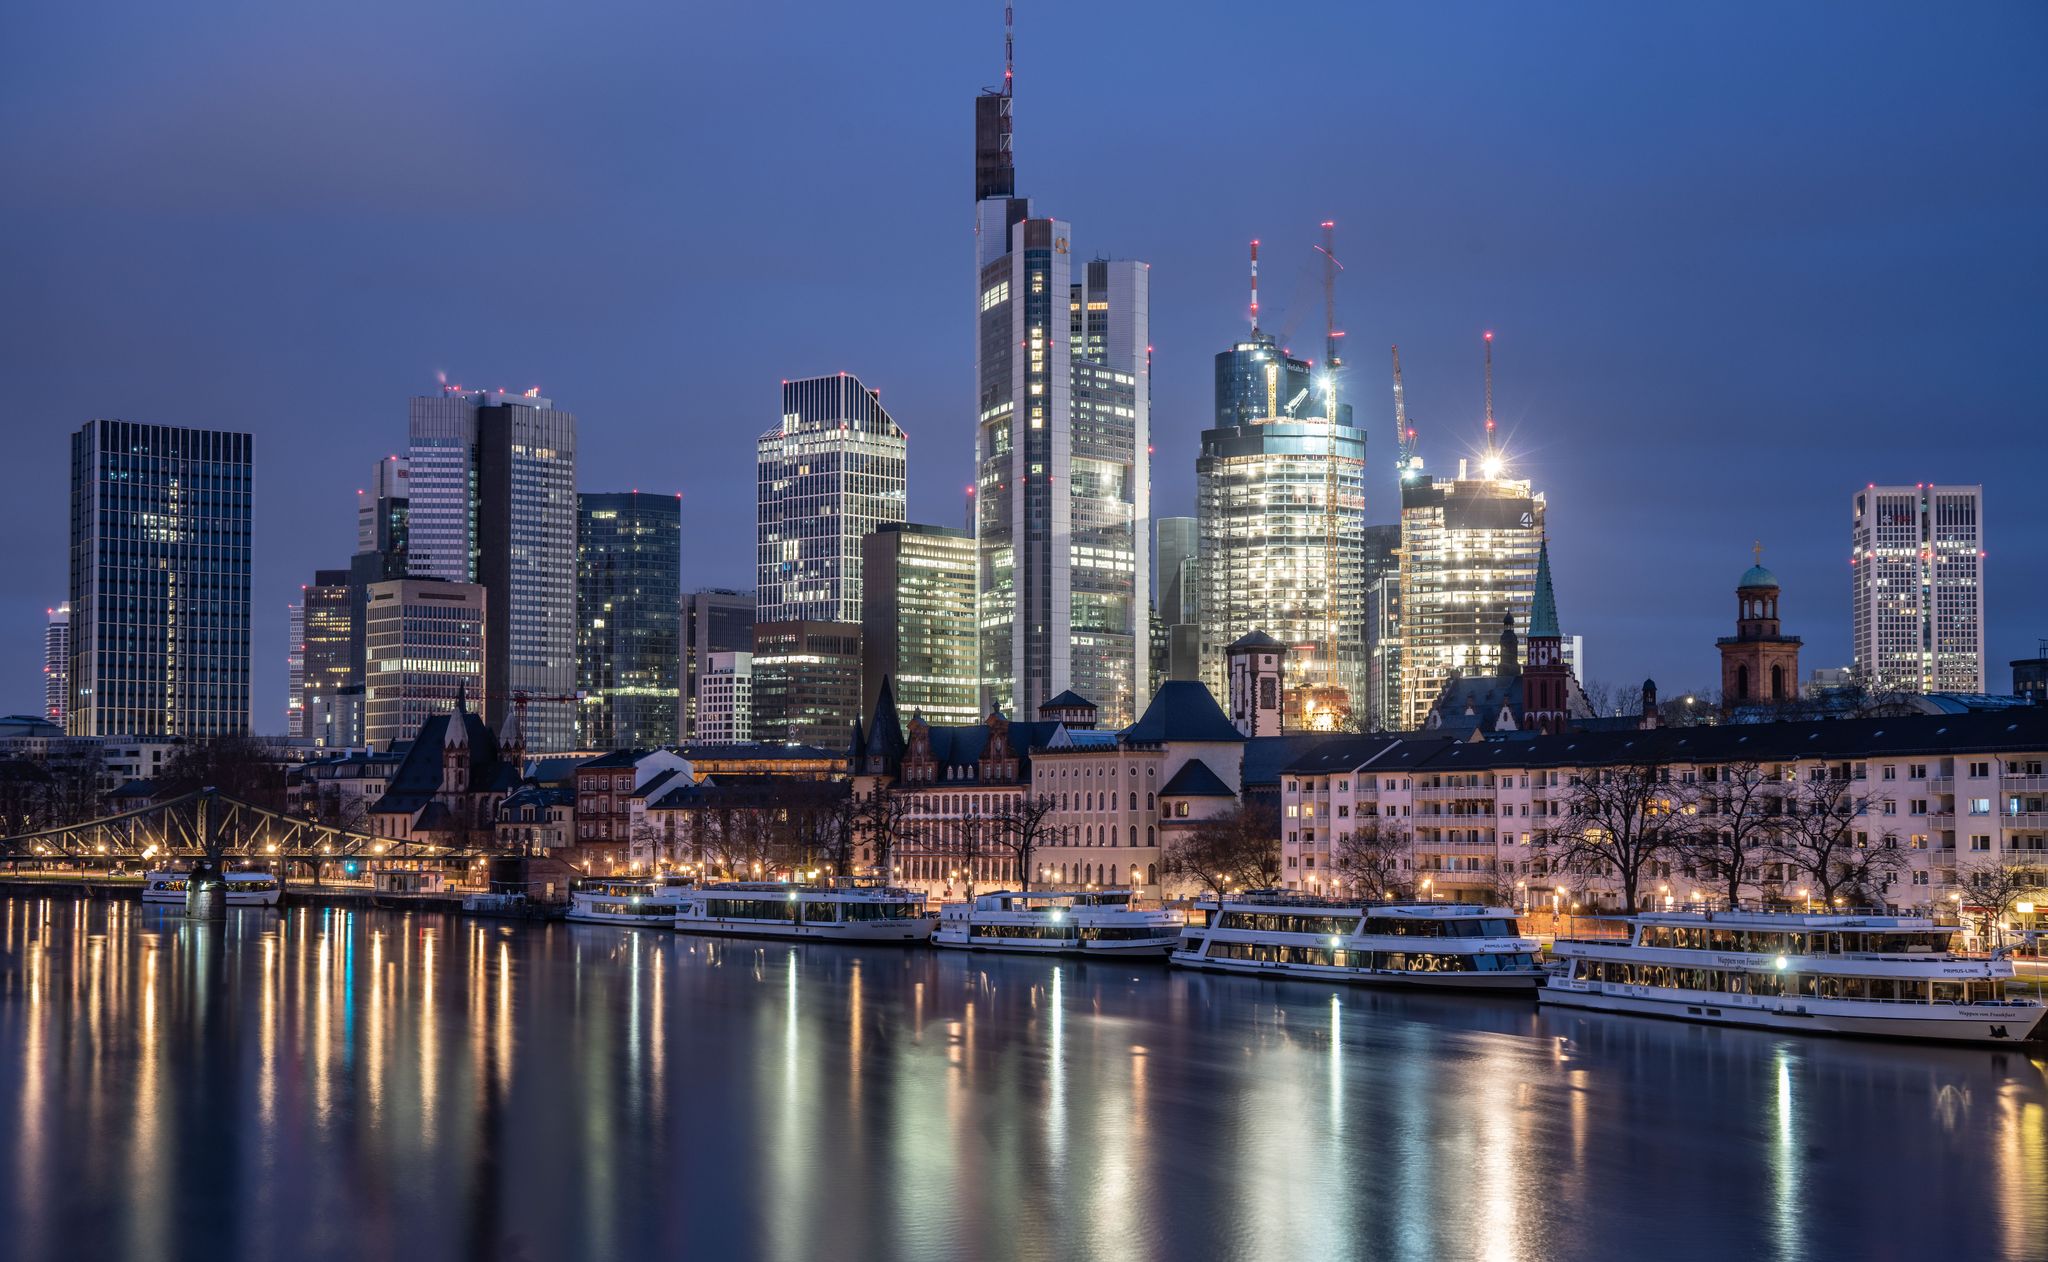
[{"x": 161, "y": 581}]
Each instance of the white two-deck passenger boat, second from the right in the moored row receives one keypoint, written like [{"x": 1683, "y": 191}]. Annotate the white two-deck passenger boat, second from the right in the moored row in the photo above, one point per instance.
[{"x": 1433, "y": 945}]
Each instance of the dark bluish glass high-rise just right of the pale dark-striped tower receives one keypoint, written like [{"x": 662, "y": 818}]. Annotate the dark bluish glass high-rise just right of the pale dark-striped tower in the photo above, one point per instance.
[{"x": 628, "y": 585}]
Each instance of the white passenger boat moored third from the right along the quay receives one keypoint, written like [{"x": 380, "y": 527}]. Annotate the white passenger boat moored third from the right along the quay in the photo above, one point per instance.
[{"x": 1058, "y": 923}]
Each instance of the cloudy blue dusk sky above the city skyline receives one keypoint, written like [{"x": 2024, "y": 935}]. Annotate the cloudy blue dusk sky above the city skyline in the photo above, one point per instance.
[{"x": 1738, "y": 259}]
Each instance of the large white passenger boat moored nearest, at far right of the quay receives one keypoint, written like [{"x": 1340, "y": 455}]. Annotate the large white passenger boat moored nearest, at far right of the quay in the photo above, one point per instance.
[{"x": 1881, "y": 976}]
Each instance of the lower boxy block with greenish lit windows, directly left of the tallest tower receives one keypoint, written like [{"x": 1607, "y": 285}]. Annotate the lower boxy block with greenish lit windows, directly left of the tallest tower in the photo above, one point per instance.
[{"x": 919, "y": 622}]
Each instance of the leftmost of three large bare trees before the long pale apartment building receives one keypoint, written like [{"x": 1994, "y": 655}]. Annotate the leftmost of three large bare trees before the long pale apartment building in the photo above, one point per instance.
[{"x": 1623, "y": 823}]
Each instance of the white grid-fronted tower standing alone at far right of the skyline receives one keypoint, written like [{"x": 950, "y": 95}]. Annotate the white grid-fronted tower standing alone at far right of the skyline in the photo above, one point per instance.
[{"x": 1918, "y": 579}]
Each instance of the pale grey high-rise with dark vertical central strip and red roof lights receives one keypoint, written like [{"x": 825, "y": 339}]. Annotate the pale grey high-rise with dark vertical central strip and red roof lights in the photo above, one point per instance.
[{"x": 493, "y": 501}]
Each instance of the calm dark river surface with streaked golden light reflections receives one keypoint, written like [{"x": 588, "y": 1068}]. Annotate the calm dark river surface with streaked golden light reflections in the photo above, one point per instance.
[{"x": 329, "y": 1085}]
